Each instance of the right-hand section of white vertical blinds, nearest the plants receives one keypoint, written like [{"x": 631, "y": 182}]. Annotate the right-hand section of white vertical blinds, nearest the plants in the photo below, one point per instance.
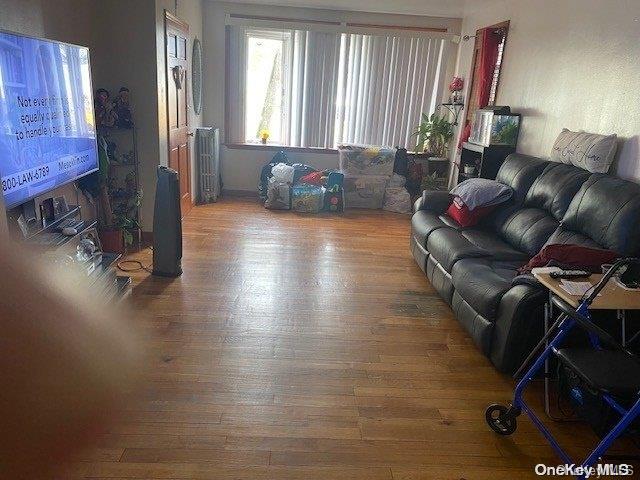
[{"x": 385, "y": 84}]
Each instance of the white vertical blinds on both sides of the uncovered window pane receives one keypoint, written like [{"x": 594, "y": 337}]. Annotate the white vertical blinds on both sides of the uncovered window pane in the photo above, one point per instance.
[{"x": 346, "y": 88}]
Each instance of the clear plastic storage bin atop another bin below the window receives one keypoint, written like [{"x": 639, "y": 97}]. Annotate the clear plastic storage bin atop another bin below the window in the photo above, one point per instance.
[{"x": 366, "y": 160}]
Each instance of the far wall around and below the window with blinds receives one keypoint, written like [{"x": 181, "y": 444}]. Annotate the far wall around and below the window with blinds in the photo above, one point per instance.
[{"x": 241, "y": 167}]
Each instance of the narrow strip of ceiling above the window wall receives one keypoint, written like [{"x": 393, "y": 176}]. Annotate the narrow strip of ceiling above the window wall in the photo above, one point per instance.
[{"x": 436, "y": 8}]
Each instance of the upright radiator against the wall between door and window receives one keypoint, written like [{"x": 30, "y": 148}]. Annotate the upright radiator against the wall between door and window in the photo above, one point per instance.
[{"x": 208, "y": 155}]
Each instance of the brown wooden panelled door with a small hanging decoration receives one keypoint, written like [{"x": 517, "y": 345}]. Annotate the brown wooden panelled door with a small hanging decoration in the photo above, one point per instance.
[{"x": 176, "y": 42}]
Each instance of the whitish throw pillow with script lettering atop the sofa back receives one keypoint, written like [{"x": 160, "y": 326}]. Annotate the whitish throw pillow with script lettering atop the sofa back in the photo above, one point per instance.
[{"x": 589, "y": 151}]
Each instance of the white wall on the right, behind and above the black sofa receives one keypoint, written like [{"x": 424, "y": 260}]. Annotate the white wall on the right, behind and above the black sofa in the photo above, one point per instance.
[{"x": 568, "y": 63}]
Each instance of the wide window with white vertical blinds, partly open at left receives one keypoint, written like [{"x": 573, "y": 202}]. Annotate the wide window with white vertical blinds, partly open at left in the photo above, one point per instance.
[{"x": 311, "y": 88}]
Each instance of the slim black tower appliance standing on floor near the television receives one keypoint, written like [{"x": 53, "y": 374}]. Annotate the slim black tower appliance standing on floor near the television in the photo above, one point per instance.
[{"x": 167, "y": 225}]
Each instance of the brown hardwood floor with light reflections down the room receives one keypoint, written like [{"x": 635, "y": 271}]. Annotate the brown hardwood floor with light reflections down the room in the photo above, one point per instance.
[{"x": 309, "y": 347}]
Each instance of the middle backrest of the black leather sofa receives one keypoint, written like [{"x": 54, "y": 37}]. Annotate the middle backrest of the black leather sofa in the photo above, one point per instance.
[{"x": 529, "y": 227}]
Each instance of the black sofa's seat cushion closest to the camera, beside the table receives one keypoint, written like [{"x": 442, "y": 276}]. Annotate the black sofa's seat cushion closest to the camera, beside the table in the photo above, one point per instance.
[{"x": 482, "y": 283}]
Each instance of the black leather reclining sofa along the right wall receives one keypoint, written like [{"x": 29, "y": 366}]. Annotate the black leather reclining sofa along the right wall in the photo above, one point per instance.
[{"x": 474, "y": 269}]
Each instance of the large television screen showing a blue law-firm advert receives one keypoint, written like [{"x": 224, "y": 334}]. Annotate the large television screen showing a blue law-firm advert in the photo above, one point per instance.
[{"x": 47, "y": 127}]
